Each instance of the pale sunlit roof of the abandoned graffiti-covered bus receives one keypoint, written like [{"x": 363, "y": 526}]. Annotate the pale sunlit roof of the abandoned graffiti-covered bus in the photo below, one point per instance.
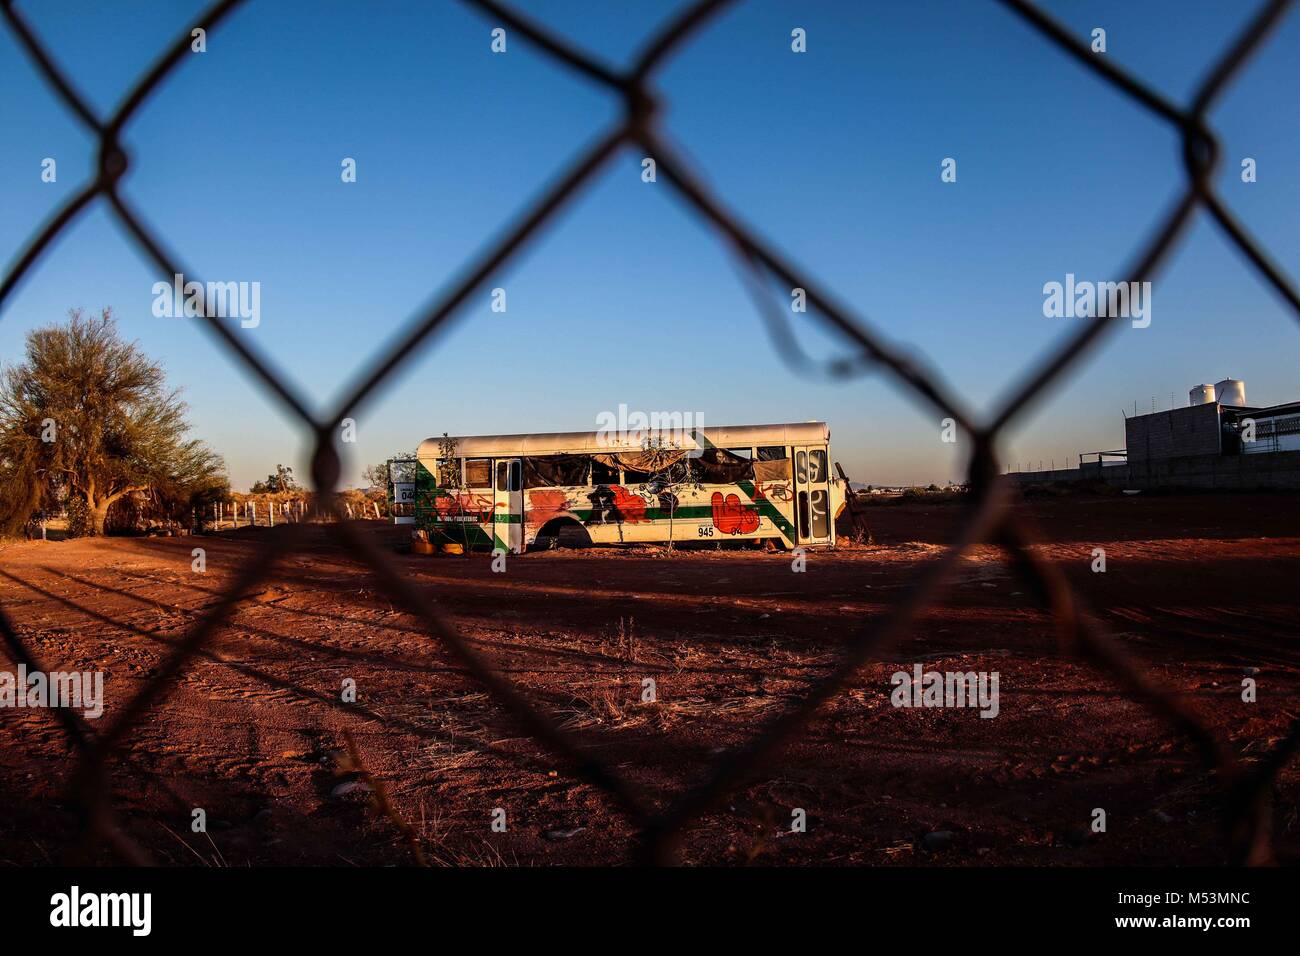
[{"x": 596, "y": 443}]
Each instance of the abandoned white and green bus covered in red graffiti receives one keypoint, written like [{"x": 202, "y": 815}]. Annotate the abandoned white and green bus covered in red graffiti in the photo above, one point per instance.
[{"x": 512, "y": 492}]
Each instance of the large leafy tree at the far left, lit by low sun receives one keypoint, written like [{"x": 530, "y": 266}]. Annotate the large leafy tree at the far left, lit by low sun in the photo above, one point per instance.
[{"x": 92, "y": 413}]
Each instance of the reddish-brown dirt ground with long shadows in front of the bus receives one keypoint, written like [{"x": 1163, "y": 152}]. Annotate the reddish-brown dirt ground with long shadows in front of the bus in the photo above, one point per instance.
[{"x": 1202, "y": 589}]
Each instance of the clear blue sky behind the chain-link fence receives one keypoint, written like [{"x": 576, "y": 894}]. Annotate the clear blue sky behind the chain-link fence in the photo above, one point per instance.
[{"x": 834, "y": 155}]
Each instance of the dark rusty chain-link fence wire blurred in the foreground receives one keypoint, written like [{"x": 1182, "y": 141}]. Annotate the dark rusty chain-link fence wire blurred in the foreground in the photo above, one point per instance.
[{"x": 1246, "y": 793}]
